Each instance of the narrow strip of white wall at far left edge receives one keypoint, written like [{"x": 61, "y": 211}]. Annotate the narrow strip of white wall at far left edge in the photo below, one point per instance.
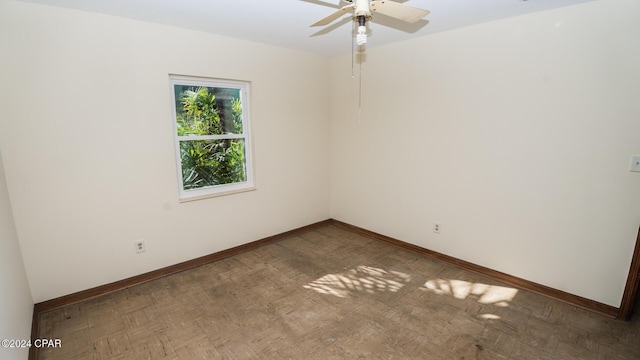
[{"x": 16, "y": 303}]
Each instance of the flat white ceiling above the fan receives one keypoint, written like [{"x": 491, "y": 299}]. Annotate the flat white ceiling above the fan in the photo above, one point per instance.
[{"x": 286, "y": 22}]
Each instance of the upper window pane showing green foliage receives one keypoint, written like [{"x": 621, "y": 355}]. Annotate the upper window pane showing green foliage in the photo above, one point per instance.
[{"x": 202, "y": 110}]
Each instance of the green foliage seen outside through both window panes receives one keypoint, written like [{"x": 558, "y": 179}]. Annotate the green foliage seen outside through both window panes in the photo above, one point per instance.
[{"x": 203, "y": 111}]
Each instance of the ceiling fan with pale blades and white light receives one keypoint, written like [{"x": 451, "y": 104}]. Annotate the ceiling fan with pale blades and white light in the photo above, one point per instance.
[{"x": 363, "y": 10}]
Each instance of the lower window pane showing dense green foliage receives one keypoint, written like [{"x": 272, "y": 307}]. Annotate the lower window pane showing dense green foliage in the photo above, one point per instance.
[{"x": 212, "y": 162}]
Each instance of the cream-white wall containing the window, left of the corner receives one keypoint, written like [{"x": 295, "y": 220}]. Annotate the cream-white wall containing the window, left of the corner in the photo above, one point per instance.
[{"x": 87, "y": 138}]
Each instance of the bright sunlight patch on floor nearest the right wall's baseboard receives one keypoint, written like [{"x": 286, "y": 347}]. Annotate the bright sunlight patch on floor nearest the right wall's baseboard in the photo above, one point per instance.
[{"x": 483, "y": 293}]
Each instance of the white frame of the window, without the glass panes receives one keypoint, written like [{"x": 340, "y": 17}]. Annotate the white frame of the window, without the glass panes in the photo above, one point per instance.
[{"x": 223, "y": 189}]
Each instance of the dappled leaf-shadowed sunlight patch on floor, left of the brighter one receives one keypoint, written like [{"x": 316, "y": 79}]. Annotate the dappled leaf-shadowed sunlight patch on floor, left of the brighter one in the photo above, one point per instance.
[{"x": 360, "y": 279}]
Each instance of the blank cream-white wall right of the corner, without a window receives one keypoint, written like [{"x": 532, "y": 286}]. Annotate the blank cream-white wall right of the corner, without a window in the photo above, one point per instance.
[{"x": 515, "y": 135}]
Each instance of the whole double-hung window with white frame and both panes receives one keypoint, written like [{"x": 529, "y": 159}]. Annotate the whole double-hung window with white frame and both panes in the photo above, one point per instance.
[{"x": 212, "y": 141}]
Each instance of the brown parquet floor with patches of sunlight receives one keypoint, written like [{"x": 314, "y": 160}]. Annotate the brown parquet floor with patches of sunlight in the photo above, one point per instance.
[{"x": 332, "y": 294}]
